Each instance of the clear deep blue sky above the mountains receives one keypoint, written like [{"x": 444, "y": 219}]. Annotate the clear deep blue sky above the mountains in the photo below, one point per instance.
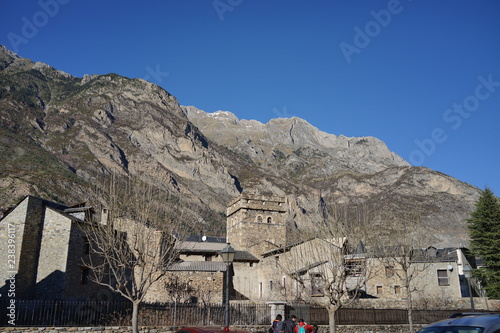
[{"x": 421, "y": 75}]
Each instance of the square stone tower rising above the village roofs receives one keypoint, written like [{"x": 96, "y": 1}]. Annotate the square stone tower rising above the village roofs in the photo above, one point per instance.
[{"x": 252, "y": 219}]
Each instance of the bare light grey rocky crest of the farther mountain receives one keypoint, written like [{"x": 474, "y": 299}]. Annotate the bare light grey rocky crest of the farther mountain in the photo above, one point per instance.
[{"x": 295, "y": 141}]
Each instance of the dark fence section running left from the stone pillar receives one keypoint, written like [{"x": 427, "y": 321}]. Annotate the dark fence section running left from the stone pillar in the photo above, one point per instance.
[{"x": 84, "y": 313}]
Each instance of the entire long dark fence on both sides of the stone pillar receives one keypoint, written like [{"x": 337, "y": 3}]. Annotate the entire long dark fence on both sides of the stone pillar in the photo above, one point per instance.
[{"x": 72, "y": 313}]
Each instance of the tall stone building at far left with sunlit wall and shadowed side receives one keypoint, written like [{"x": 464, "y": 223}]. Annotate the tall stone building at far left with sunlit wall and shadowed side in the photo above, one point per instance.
[{"x": 43, "y": 245}]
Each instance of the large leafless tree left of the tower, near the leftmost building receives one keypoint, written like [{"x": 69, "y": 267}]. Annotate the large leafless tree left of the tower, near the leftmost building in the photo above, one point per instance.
[{"x": 133, "y": 240}]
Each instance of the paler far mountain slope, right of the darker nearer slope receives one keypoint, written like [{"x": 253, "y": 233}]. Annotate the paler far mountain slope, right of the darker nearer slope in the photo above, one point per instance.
[{"x": 326, "y": 168}]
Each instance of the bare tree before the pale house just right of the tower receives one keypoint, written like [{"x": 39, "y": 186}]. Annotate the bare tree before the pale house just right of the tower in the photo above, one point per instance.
[{"x": 330, "y": 266}]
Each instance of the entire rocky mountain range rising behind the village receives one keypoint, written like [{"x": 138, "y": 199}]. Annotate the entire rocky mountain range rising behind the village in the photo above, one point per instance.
[{"x": 58, "y": 133}]
